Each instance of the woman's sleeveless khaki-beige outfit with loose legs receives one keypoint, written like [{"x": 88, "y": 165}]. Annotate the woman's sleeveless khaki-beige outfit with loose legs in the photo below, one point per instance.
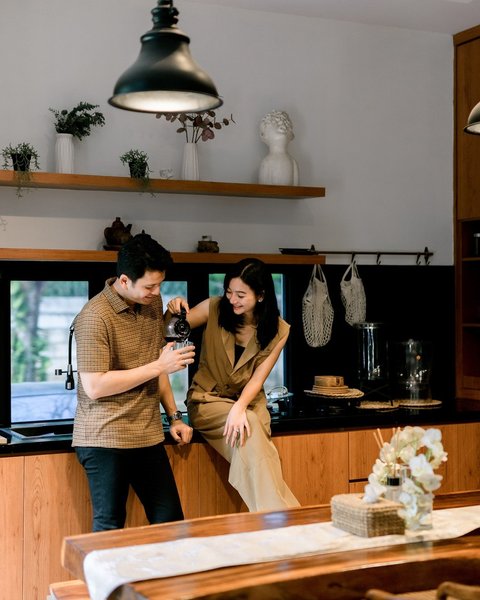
[{"x": 255, "y": 469}]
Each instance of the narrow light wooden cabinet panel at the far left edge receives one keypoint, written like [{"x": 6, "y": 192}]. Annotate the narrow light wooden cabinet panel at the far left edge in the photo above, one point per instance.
[{"x": 11, "y": 527}]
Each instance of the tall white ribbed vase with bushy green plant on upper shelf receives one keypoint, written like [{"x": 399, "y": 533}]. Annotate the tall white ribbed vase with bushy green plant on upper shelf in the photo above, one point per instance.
[{"x": 69, "y": 124}]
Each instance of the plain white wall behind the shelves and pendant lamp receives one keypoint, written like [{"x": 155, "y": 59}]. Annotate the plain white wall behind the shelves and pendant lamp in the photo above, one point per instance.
[{"x": 371, "y": 108}]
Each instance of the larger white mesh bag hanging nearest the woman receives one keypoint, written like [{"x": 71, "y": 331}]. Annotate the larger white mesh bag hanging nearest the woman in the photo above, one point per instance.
[{"x": 317, "y": 310}]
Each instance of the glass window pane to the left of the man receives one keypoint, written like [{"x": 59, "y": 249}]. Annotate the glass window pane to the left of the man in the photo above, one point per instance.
[{"x": 40, "y": 318}]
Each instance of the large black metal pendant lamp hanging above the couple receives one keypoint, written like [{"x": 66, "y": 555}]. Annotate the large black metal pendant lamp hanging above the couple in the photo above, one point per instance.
[{"x": 165, "y": 78}]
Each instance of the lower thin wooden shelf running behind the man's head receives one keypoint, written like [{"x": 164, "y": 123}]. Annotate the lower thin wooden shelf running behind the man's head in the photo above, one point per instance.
[{"x": 178, "y": 257}]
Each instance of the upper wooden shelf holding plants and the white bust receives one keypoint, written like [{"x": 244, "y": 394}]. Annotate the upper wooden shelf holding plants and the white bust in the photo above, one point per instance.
[{"x": 103, "y": 183}]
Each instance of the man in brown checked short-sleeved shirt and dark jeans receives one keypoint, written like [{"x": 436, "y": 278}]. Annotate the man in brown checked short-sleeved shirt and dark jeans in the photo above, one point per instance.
[{"x": 123, "y": 378}]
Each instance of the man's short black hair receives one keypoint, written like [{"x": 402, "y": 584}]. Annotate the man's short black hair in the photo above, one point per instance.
[{"x": 142, "y": 253}]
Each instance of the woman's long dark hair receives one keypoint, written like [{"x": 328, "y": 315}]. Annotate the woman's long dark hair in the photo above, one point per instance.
[{"x": 253, "y": 272}]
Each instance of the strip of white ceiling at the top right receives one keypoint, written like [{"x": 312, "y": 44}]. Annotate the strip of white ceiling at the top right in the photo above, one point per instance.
[{"x": 442, "y": 16}]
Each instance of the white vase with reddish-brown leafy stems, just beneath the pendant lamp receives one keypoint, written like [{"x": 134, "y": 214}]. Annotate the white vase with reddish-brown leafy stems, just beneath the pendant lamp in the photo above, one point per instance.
[{"x": 196, "y": 127}]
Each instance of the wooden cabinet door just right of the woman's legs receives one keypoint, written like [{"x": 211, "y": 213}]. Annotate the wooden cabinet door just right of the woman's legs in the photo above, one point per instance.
[{"x": 315, "y": 465}]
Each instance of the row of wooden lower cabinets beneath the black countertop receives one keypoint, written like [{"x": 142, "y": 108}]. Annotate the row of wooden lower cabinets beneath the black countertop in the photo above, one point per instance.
[{"x": 45, "y": 497}]
